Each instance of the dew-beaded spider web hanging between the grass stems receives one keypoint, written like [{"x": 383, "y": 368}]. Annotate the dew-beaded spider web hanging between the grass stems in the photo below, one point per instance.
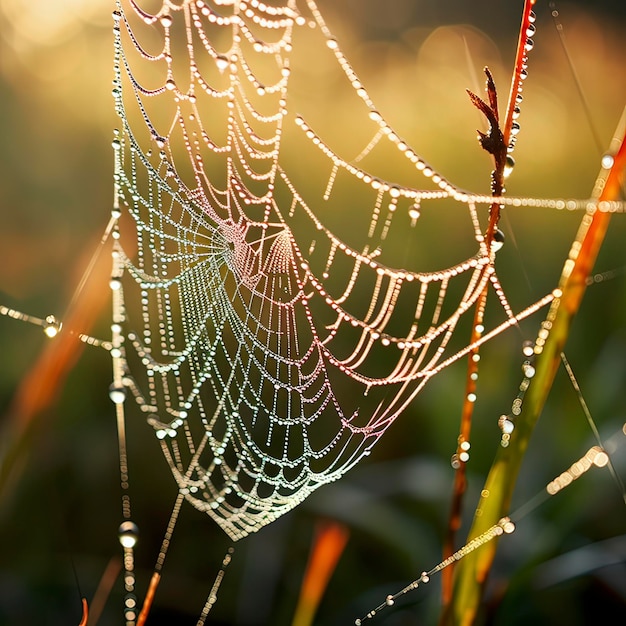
[{"x": 269, "y": 334}]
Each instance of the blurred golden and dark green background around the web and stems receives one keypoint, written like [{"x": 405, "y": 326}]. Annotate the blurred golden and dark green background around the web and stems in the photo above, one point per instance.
[{"x": 60, "y": 510}]
